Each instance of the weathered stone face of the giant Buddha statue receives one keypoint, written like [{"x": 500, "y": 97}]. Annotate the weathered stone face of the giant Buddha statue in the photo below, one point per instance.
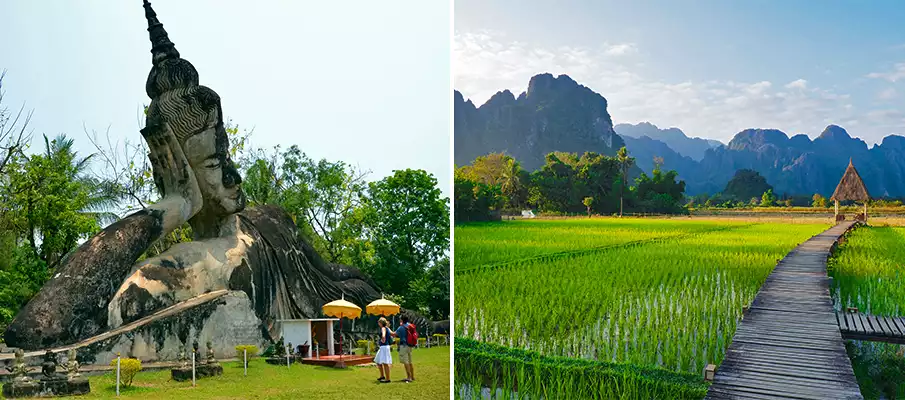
[{"x": 208, "y": 154}]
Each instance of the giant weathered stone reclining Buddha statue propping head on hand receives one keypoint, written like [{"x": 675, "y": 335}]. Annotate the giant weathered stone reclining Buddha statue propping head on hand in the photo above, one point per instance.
[{"x": 101, "y": 285}]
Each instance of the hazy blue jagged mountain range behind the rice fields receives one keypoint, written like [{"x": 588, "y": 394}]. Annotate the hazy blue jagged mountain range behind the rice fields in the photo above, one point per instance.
[{"x": 558, "y": 114}]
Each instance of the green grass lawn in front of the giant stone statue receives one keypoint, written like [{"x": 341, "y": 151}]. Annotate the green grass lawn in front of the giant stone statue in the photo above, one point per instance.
[{"x": 266, "y": 381}]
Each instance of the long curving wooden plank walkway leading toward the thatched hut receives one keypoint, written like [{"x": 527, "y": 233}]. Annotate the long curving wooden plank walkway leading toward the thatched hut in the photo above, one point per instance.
[{"x": 788, "y": 344}]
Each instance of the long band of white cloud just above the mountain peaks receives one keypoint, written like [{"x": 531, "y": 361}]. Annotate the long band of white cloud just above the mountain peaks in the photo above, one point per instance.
[{"x": 712, "y": 109}]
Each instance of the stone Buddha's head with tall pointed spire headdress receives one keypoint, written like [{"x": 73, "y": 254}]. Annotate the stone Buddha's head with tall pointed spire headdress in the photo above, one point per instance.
[{"x": 194, "y": 114}]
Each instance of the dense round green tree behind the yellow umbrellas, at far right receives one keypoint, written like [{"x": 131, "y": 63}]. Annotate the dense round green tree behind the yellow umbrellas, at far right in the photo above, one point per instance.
[{"x": 408, "y": 225}]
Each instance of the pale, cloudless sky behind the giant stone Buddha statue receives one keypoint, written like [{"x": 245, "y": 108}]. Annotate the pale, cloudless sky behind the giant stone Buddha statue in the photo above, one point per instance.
[{"x": 364, "y": 82}]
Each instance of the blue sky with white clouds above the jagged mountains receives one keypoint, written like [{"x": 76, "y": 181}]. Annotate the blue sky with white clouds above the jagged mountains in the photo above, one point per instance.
[{"x": 712, "y": 68}]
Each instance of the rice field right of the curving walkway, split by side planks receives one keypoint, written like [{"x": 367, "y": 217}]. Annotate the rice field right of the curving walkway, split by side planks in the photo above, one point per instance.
[{"x": 868, "y": 272}]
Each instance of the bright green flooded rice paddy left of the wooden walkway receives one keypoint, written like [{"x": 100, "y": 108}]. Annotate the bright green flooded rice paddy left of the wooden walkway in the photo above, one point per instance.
[{"x": 663, "y": 294}]
